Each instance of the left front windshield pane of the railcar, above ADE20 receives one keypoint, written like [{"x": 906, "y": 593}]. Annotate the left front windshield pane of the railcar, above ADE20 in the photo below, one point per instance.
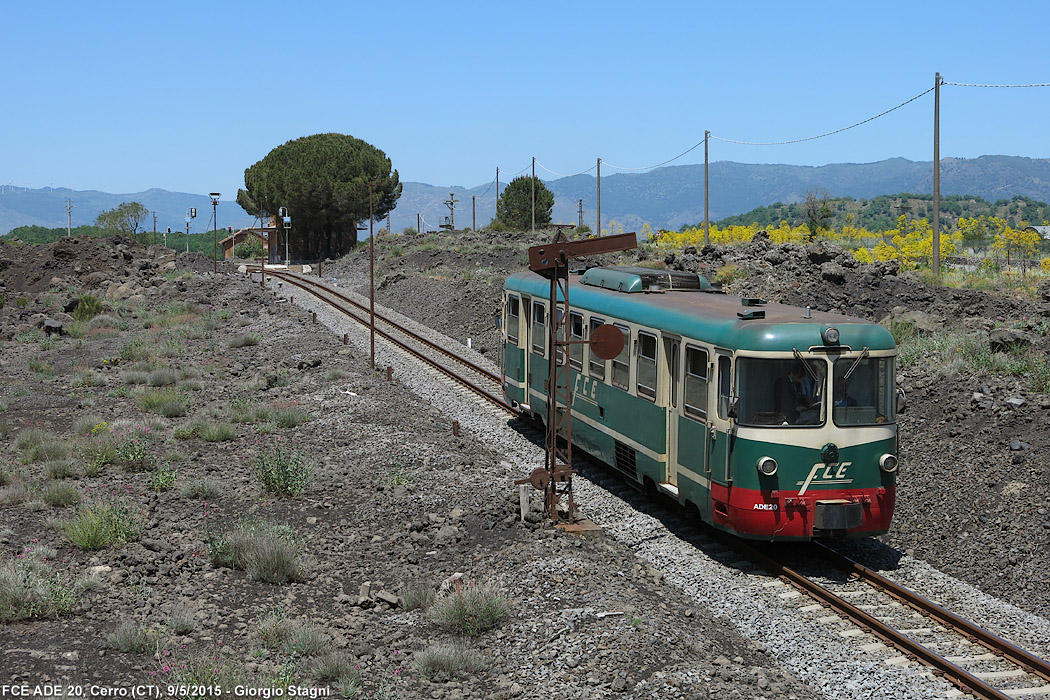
[{"x": 782, "y": 392}]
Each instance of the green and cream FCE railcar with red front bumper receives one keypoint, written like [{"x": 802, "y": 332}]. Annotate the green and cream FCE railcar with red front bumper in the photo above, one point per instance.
[{"x": 699, "y": 406}]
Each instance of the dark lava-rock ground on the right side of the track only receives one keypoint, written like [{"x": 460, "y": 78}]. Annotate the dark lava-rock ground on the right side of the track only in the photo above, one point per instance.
[{"x": 975, "y": 487}]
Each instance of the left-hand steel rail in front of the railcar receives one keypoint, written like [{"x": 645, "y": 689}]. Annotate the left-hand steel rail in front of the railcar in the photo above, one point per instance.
[{"x": 960, "y": 678}]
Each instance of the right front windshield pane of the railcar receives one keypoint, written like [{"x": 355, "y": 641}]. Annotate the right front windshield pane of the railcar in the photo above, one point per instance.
[{"x": 864, "y": 392}]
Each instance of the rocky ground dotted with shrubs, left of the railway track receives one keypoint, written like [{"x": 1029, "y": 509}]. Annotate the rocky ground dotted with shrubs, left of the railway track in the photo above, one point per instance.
[{"x": 149, "y": 422}]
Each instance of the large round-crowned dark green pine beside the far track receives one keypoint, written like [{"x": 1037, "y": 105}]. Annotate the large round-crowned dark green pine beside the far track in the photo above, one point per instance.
[{"x": 324, "y": 182}]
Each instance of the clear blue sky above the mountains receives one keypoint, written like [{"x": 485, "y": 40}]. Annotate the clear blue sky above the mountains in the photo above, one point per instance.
[{"x": 123, "y": 97}]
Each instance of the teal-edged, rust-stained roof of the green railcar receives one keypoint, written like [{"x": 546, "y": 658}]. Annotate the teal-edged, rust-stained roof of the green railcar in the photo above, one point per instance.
[{"x": 713, "y": 317}]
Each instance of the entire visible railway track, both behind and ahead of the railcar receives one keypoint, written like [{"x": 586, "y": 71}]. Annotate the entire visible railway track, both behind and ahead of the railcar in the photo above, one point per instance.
[{"x": 976, "y": 662}]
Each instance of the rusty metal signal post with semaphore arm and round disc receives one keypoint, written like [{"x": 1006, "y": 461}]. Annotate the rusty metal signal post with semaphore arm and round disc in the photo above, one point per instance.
[{"x": 553, "y": 262}]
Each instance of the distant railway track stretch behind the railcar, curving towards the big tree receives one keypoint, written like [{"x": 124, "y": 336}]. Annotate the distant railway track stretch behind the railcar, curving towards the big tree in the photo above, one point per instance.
[{"x": 477, "y": 379}]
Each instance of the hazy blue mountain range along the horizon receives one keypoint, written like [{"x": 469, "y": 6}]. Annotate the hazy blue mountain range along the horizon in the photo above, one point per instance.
[{"x": 666, "y": 198}]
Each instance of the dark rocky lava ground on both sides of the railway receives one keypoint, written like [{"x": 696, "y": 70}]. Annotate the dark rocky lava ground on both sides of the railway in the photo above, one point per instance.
[{"x": 396, "y": 504}]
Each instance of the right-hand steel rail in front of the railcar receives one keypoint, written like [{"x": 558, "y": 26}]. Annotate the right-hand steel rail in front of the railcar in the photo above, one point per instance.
[{"x": 1026, "y": 661}]
